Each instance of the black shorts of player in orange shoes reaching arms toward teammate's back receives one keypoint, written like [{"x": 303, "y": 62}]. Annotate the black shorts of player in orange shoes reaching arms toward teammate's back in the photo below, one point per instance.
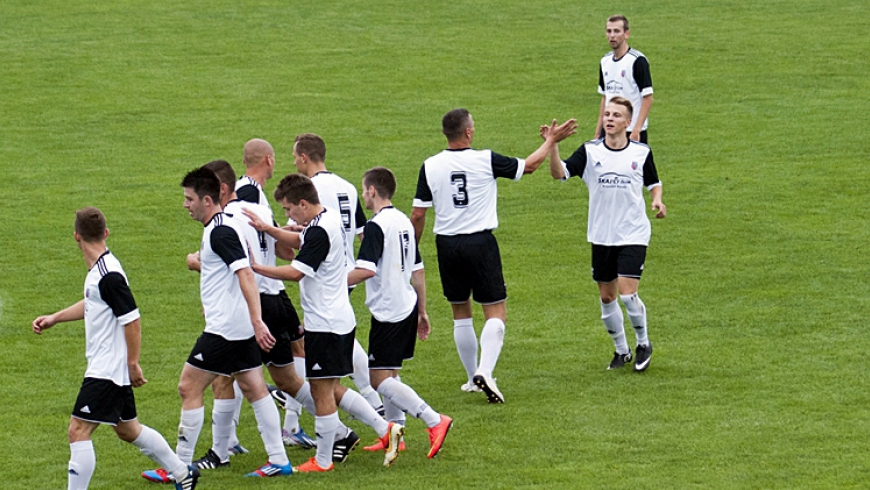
[{"x": 328, "y": 355}]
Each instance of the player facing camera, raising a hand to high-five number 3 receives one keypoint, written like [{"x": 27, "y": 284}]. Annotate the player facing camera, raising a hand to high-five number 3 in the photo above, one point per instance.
[{"x": 616, "y": 170}]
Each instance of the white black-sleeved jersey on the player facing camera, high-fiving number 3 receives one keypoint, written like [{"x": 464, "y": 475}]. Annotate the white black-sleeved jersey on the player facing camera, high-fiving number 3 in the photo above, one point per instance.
[{"x": 616, "y": 179}]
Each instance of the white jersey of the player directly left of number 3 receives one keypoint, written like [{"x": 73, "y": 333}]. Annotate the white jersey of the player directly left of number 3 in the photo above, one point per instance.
[{"x": 390, "y": 251}]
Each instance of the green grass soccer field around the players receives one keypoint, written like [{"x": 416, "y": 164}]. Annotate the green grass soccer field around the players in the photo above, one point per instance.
[{"x": 756, "y": 282}]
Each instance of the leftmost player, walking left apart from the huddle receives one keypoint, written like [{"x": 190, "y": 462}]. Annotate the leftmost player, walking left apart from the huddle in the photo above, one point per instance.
[{"x": 112, "y": 345}]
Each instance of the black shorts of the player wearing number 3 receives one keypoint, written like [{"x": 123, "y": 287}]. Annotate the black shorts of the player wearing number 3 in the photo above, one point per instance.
[{"x": 470, "y": 263}]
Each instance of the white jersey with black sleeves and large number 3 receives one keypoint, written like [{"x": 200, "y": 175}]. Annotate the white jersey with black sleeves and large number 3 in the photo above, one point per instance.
[{"x": 461, "y": 185}]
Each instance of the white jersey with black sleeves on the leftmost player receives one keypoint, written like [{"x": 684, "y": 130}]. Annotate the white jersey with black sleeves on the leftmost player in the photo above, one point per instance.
[{"x": 109, "y": 306}]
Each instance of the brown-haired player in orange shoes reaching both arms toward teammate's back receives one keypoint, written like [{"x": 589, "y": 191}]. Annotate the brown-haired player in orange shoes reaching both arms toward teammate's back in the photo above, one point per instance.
[{"x": 330, "y": 325}]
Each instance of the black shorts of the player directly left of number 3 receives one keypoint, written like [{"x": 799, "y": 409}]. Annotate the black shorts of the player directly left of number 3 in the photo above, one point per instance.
[{"x": 392, "y": 343}]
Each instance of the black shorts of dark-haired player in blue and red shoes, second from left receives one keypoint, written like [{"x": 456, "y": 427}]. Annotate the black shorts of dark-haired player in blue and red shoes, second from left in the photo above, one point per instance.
[{"x": 215, "y": 354}]
